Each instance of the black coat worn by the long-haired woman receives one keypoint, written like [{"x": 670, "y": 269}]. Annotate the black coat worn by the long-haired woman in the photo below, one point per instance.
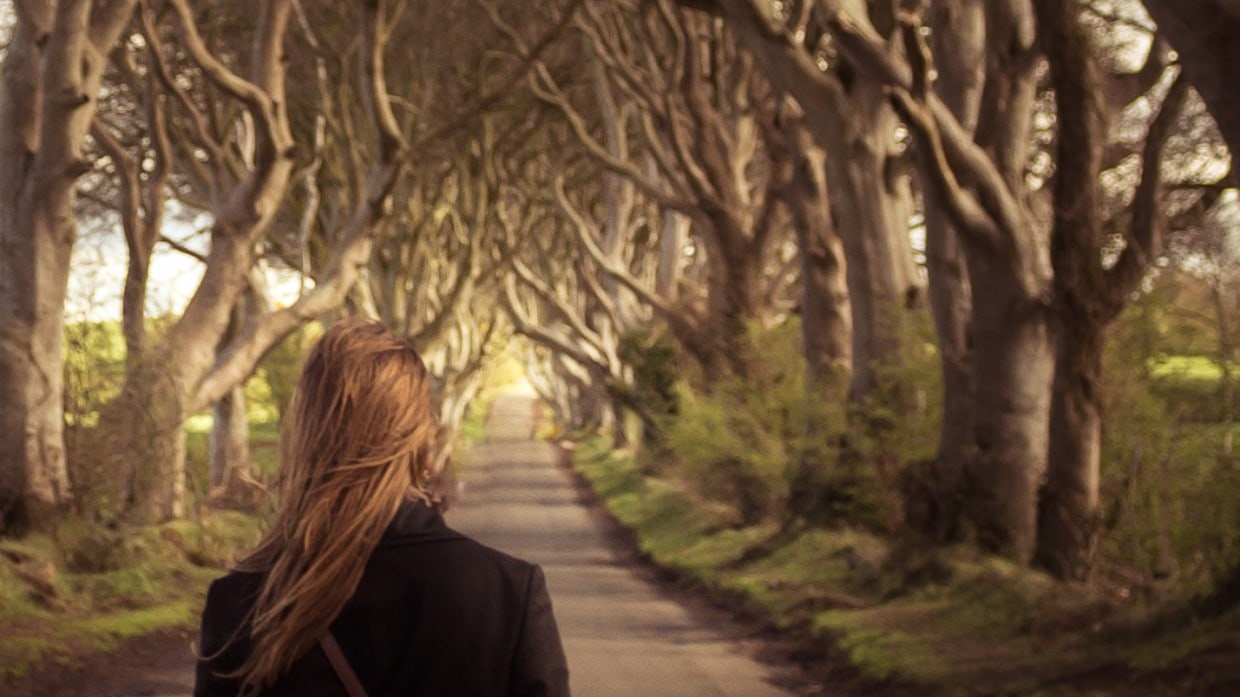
[{"x": 436, "y": 616}]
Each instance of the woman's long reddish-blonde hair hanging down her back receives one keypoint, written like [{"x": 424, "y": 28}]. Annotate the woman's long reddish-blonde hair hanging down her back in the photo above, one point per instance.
[{"x": 355, "y": 443}]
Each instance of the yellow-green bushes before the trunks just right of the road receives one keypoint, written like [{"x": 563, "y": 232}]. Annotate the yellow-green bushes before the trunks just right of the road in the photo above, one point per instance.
[{"x": 776, "y": 448}]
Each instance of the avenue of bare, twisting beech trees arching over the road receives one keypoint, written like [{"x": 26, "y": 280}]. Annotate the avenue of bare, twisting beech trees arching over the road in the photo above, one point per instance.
[{"x": 883, "y": 245}]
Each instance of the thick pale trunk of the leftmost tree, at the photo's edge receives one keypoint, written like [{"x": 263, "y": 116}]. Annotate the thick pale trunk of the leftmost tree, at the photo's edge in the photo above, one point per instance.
[{"x": 53, "y": 73}]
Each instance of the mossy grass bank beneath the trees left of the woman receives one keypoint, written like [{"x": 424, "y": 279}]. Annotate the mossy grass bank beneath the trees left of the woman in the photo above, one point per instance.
[{"x": 82, "y": 590}]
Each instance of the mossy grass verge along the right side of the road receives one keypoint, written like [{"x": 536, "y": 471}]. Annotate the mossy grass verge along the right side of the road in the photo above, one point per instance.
[{"x": 955, "y": 624}]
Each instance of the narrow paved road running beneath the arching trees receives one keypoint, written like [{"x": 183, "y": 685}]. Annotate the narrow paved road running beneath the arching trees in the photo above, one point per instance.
[{"x": 622, "y": 634}]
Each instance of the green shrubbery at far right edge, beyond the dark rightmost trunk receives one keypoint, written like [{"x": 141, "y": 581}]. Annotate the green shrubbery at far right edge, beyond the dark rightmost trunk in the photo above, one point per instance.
[{"x": 1169, "y": 489}]
